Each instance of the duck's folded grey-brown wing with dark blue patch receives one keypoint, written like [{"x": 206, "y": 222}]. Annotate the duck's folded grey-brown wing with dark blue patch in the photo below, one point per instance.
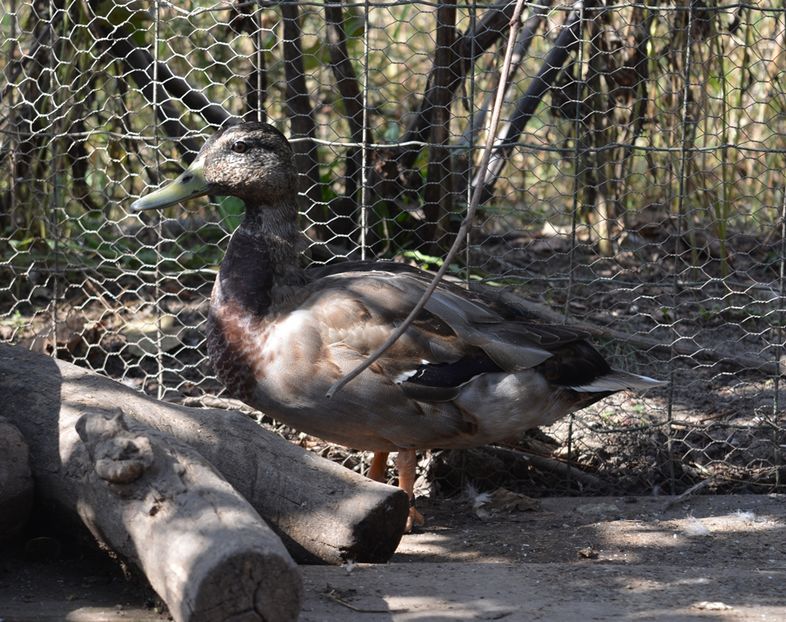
[{"x": 454, "y": 339}]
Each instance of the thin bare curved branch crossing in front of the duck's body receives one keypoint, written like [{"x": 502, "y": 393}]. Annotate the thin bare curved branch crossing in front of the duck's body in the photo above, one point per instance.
[{"x": 465, "y": 225}]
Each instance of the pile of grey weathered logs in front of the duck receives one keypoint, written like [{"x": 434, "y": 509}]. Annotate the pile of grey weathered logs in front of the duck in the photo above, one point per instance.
[{"x": 181, "y": 493}]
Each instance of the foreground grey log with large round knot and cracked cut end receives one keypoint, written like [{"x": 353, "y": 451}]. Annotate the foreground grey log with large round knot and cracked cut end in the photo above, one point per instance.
[{"x": 159, "y": 504}]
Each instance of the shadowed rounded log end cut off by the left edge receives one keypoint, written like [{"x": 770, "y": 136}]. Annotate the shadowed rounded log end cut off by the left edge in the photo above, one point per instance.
[{"x": 16, "y": 481}]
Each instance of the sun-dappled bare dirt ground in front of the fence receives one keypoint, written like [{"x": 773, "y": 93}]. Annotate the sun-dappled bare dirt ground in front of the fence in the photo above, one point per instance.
[{"x": 717, "y": 558}]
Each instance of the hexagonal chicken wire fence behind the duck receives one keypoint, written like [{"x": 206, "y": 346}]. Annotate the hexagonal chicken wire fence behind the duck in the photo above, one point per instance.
[{"x": 636, "y": 190}]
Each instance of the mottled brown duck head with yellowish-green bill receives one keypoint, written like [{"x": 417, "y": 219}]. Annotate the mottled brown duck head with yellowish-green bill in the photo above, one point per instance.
[{"x": 252, "y": 161}]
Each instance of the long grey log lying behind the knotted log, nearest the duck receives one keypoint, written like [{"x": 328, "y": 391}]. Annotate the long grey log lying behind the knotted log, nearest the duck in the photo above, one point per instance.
[{"x": 322, "y": 511}]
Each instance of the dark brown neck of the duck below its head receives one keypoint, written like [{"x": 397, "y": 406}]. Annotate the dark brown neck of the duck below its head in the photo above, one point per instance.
[{"x": 261, "y": 257}]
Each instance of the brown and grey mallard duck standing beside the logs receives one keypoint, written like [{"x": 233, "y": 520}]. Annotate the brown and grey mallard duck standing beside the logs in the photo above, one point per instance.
[{"x": 464, "y": 374}]
